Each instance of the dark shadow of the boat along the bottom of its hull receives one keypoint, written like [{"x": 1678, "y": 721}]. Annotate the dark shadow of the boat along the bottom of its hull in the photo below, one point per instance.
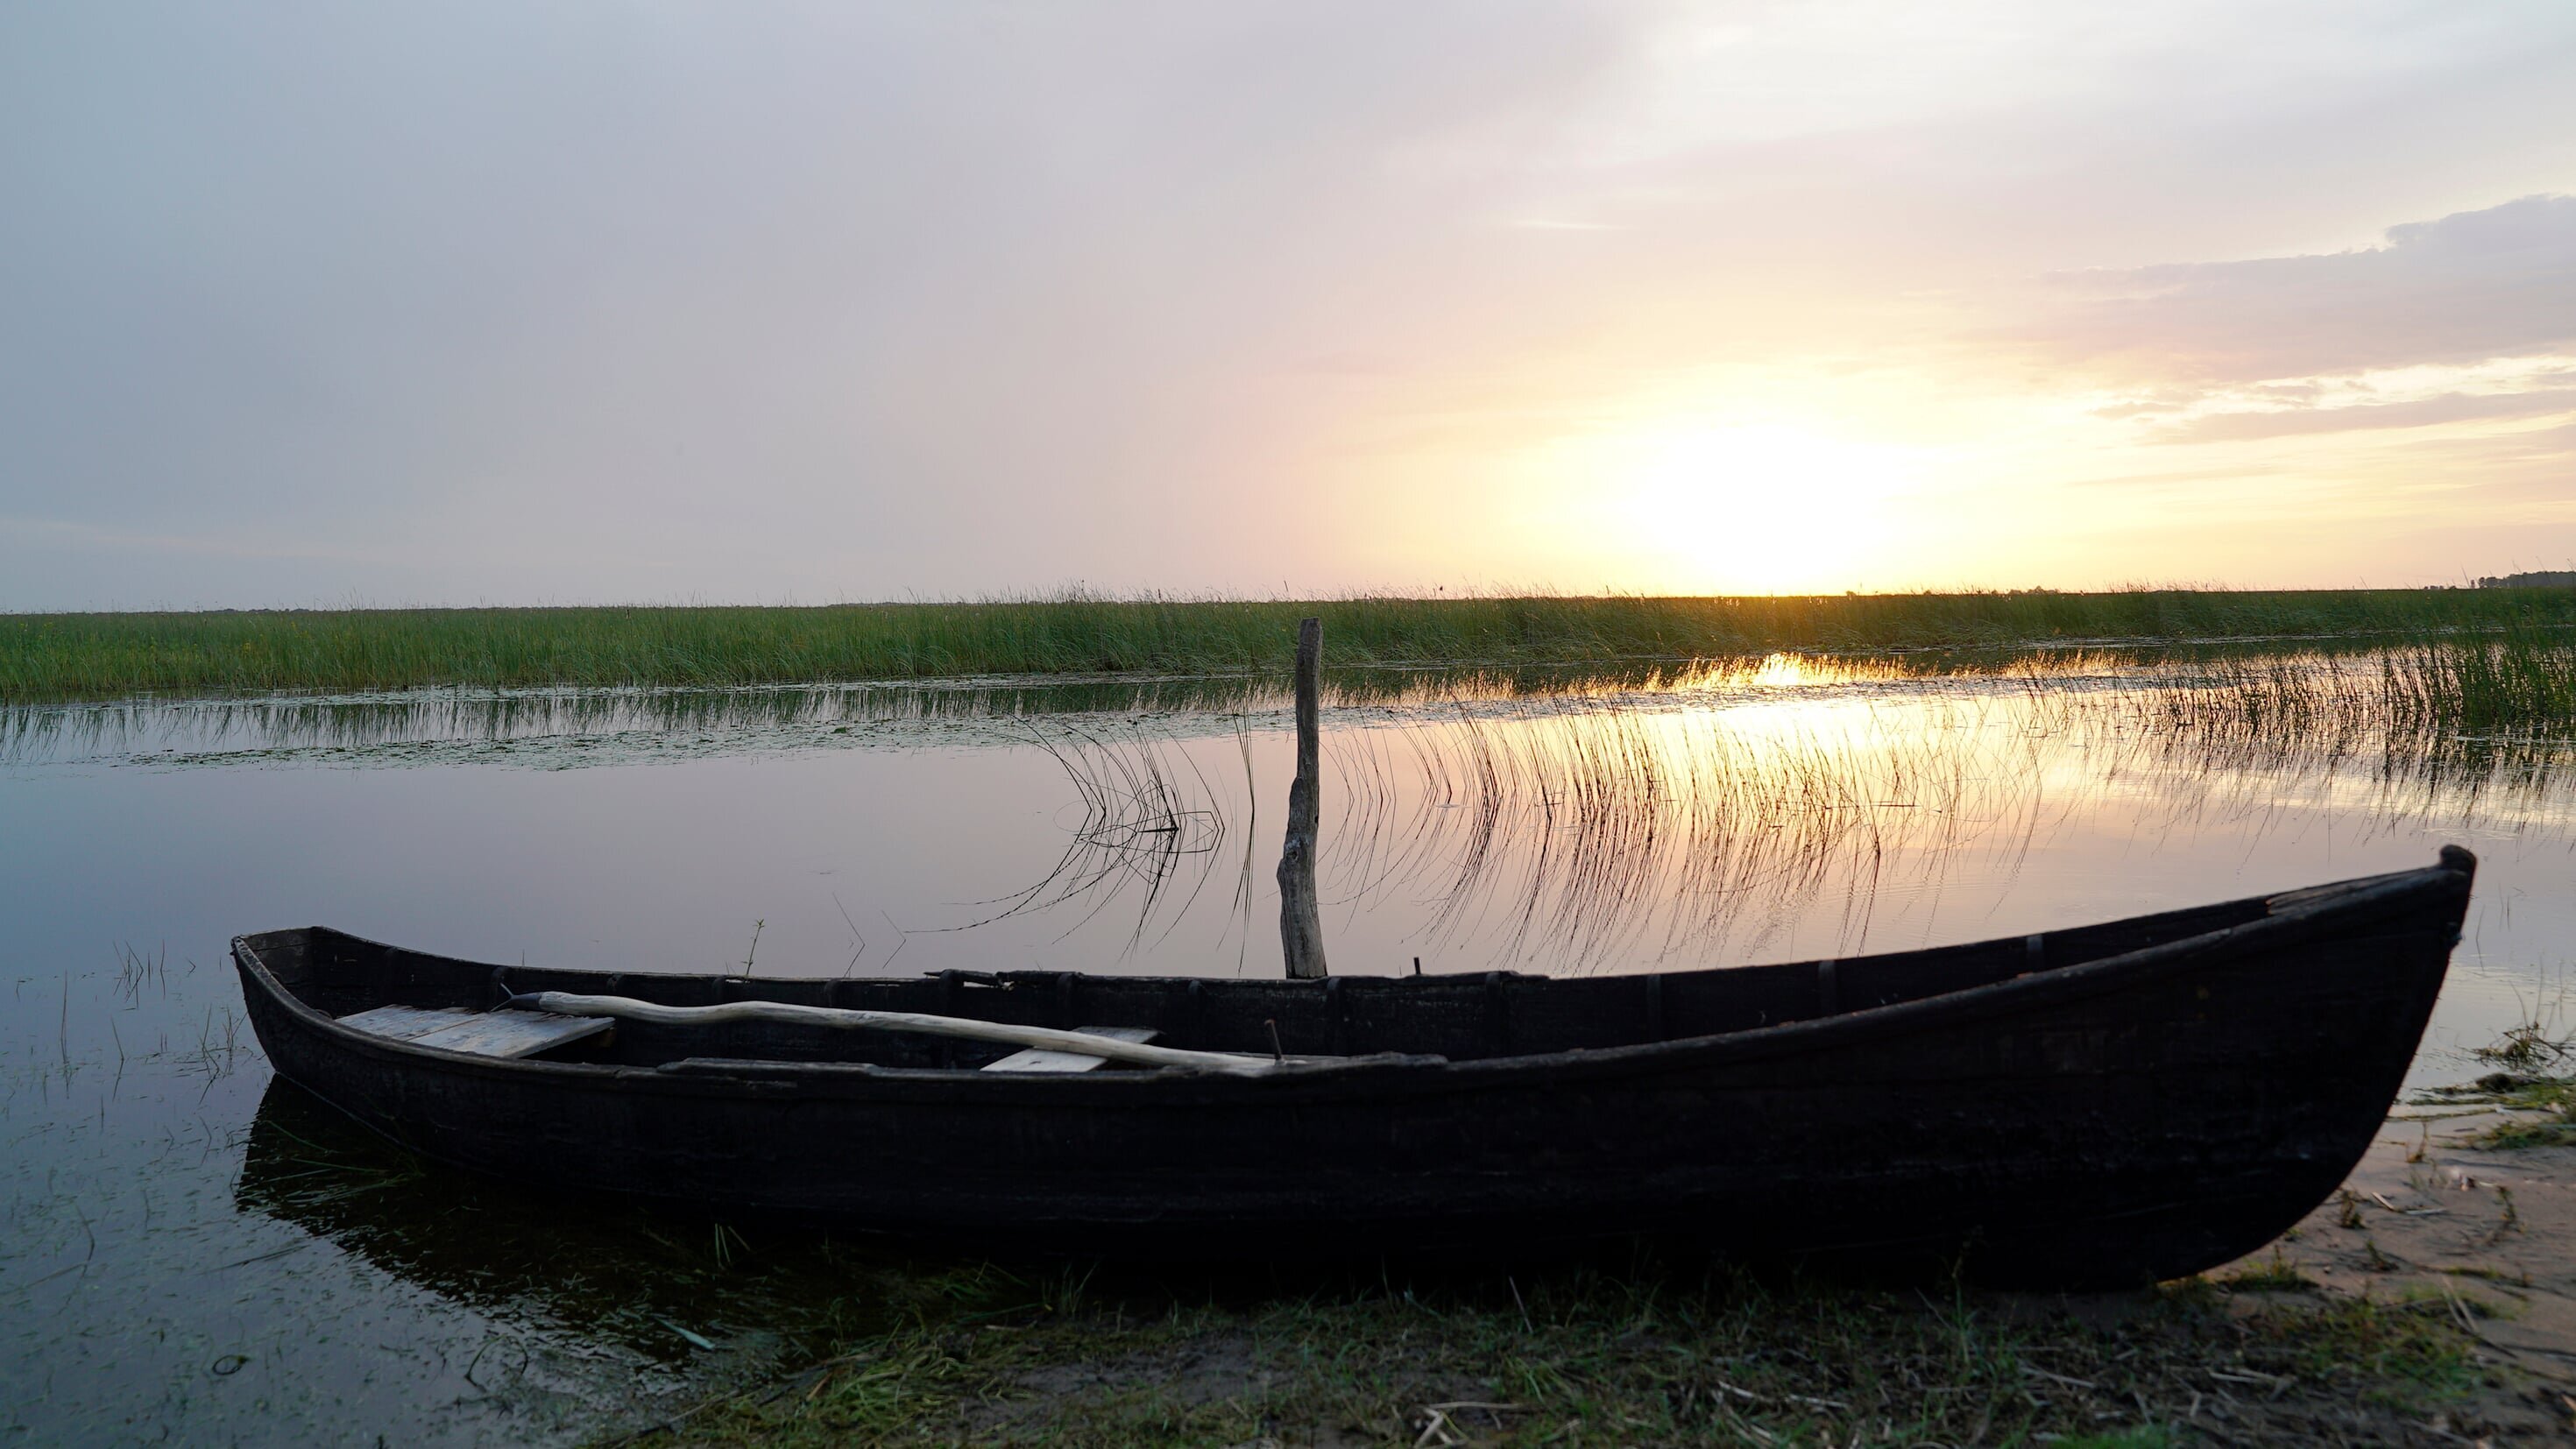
[{"x": 666, "y": 1283}]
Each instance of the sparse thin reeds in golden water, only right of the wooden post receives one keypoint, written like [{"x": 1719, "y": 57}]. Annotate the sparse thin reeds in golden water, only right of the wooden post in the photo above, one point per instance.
[{"x": 1632, "y": 833}]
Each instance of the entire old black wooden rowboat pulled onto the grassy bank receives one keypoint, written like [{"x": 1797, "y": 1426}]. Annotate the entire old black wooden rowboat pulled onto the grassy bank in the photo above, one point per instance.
[{"x": 2085, "y": 1108}]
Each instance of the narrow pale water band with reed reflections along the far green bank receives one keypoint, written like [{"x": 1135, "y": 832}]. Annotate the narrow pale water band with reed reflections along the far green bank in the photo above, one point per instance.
[{"x": 607, "y": 727}]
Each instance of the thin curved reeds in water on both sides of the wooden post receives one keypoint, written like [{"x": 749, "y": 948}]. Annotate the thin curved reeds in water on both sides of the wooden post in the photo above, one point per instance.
[{"x": 1565, "y": 827}]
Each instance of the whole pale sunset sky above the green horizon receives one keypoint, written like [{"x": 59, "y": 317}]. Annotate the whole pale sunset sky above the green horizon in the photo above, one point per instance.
[{"x": 313, "y": 305}]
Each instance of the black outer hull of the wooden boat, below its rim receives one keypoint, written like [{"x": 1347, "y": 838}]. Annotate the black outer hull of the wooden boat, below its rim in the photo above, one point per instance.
[{"x": 2108, "y": 1123}]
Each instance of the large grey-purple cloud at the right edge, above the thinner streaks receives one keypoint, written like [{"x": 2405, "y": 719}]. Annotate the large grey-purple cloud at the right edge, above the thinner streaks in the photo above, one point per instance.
[{"x": 2469, "y": 287}]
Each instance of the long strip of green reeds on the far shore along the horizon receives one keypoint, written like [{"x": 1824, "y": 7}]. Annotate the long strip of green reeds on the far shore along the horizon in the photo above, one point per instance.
[{"x": 115, "y": 655}]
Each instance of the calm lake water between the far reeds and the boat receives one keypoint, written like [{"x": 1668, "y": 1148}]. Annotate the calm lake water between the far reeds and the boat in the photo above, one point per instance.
[{"x": 200, "y": 1255}]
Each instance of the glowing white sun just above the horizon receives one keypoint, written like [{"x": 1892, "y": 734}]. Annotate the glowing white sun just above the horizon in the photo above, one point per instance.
[{"x": 1748, "y": 508}]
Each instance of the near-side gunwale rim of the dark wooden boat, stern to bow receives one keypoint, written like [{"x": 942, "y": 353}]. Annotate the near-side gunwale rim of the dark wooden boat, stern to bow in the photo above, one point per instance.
[{"x": 751, "y": 1077}]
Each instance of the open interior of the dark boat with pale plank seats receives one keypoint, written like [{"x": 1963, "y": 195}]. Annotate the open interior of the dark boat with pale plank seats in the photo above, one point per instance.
[{"x": 444, "y": 1002}]
